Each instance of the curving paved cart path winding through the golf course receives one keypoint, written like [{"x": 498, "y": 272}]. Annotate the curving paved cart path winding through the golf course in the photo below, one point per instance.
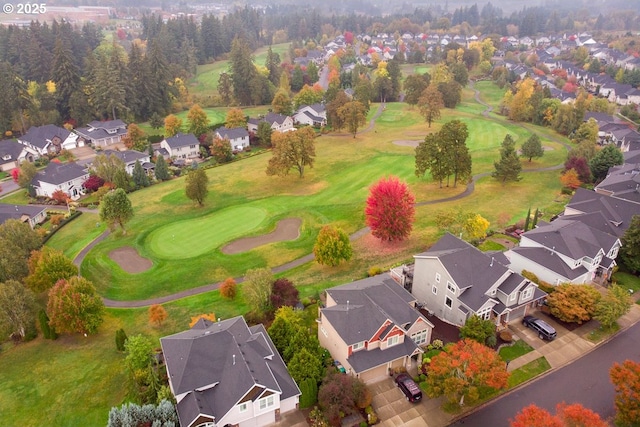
[{"x": 307, "y": 258}]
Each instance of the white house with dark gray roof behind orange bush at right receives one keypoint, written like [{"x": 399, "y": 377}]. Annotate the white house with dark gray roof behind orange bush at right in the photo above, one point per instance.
[{"x": 572, "y": 249}]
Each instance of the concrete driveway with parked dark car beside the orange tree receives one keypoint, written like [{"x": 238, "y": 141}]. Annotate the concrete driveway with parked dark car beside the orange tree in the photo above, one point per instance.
[{"x": 394, "y": 410}]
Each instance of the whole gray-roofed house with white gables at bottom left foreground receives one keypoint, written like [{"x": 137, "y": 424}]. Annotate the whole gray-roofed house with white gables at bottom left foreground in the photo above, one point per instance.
[{"x": 227, "y": 374}]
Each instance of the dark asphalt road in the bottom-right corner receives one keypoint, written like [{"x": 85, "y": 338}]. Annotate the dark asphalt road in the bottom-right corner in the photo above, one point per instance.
[{"x": 585, "y": 381}]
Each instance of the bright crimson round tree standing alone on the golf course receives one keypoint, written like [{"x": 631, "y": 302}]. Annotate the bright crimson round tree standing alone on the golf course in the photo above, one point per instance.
[{"x": 390, "y": 209}]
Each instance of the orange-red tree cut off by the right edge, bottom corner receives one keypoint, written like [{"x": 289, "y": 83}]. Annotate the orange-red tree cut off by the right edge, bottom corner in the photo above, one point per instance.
[{"x": 626, "y": 381}]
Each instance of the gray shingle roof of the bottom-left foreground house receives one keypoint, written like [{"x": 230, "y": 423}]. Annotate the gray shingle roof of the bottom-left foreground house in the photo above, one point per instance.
[{"x": 227, "y": 360}]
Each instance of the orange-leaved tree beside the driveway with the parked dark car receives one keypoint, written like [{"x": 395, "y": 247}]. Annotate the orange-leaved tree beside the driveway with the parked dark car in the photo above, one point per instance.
[{"x": 463, "y": 369}]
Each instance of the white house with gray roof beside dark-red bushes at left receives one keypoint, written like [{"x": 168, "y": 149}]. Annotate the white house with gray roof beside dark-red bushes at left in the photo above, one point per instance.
[{"x": 68, "y": 177}]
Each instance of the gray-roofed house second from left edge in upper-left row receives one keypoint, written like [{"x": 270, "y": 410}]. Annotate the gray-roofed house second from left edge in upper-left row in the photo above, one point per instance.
[{"x": 48, "y": 139}]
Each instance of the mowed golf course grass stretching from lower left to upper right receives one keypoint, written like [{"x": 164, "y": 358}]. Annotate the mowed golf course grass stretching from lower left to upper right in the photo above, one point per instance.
[{"x": 45, "y": 380}]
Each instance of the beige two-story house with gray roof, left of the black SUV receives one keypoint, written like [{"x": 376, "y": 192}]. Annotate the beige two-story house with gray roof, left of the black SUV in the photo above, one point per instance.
[{"x": 454, "y": 280}]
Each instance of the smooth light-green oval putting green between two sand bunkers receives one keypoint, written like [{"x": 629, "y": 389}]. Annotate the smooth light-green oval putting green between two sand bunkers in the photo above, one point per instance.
[{"x": 194, "y": 237}]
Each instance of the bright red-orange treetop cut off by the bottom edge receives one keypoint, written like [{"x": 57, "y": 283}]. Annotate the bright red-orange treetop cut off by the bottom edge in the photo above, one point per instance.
[{"x": 566, "y": 416}]
